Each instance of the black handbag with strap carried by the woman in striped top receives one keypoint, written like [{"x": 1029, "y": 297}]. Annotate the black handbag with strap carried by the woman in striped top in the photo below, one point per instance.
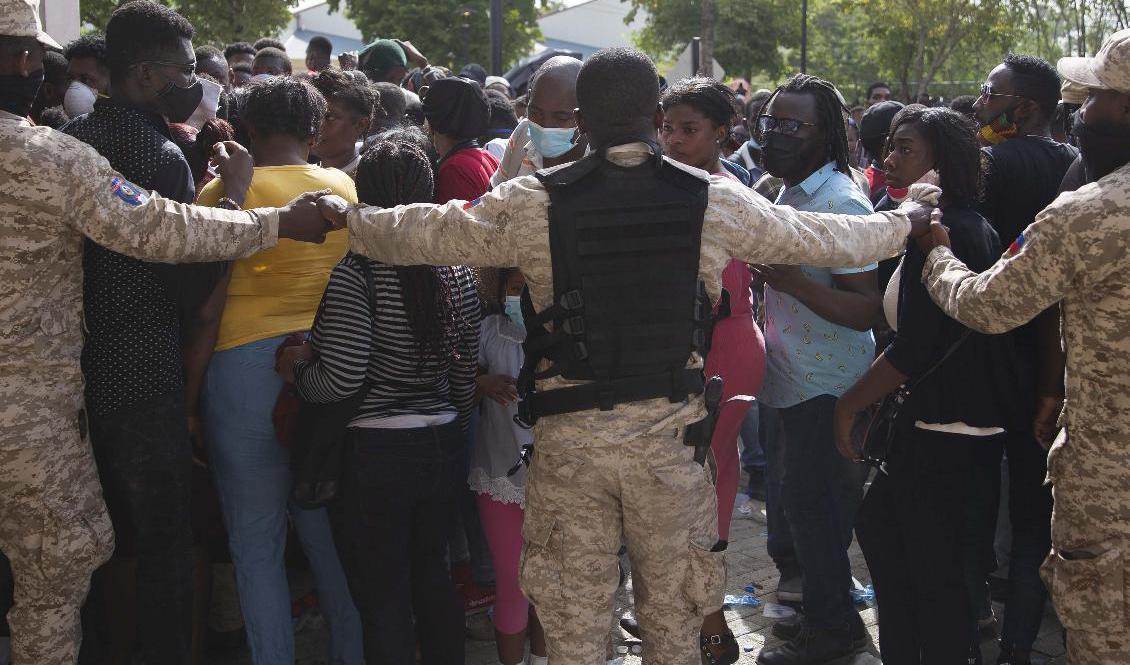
[{"x": 319, "y": 438}]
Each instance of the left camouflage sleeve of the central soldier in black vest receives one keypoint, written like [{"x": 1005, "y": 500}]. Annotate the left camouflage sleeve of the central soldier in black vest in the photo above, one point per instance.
[{"x": 485, "y": 232}]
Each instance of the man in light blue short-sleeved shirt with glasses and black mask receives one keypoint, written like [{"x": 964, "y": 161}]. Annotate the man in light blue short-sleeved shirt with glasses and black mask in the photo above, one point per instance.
[{"x": 819, "y": 339}]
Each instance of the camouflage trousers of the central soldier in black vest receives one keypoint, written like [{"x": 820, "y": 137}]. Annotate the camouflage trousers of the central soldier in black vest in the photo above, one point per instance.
[{"x": 583, "y": 498}]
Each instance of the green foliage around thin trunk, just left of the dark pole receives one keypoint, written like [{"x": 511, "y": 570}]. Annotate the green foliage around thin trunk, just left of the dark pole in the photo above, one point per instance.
[{"x": 747, "y": 33}]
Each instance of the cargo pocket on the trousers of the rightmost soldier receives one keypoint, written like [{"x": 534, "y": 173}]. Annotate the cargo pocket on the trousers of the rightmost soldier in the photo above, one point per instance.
[{"x": 1089, "y": 590}]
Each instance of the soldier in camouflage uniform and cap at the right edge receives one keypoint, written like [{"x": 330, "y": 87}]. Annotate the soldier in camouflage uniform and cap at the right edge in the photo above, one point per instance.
[{"x": 1077, "y": 252}]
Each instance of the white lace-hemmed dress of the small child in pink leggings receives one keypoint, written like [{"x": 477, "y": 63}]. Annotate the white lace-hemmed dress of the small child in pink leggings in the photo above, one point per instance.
[{"x": 499, "y": 441}]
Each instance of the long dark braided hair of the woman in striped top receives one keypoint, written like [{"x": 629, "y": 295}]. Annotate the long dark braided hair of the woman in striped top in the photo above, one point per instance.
[{"x": 394, "y": 174}]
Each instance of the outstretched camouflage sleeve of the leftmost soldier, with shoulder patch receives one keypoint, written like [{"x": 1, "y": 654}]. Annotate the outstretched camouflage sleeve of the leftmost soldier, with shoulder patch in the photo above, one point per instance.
[{"x": 124, "y": 218}]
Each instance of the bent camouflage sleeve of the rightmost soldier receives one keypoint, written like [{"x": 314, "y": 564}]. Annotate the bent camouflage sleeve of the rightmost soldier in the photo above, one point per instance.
[{"x": 1033, "y": 275}]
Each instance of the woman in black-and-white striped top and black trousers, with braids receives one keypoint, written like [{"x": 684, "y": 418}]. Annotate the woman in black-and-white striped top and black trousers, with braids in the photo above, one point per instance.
[{"x": 408, "y": 336}]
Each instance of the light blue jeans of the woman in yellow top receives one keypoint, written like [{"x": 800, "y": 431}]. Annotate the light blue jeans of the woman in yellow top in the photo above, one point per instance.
[{"x": 253, "y": 474}]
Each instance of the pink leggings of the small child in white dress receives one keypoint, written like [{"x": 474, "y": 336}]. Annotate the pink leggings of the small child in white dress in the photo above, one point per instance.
[{"x": 502, "y": 523}]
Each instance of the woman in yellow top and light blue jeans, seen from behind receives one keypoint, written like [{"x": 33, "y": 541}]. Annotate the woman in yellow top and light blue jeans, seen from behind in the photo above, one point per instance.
[{"x": 267, "y": 298}]
